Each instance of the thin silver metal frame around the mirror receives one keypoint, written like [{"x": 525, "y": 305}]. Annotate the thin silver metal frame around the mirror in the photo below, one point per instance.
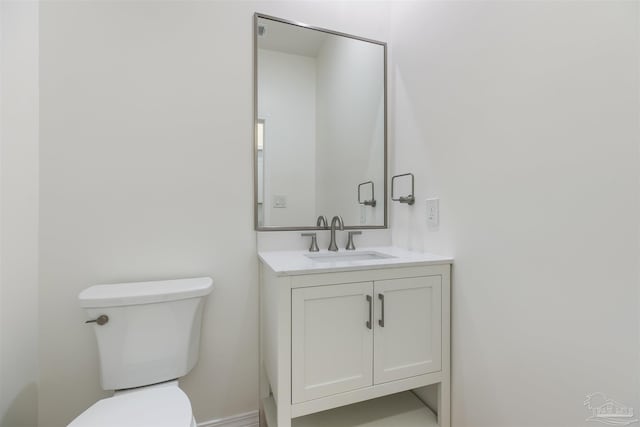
[{"x": 257, "y": 16}]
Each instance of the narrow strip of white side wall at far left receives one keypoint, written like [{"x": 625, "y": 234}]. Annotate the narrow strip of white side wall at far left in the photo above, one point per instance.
[{"x": 18, "y": 213}]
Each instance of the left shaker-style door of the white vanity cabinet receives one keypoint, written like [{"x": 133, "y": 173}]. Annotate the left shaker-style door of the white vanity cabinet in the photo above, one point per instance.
[{"x": 332, "y": 339}]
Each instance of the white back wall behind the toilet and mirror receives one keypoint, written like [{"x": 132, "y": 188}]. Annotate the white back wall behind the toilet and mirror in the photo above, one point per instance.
[{"x": 146, "y": 112}]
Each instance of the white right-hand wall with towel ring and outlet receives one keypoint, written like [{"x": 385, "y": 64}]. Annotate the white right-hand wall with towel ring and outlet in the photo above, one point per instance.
[{"x": 523, "y": 118}]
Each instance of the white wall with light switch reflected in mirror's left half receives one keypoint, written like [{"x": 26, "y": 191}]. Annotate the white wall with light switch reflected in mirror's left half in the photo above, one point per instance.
[{"x": 286, "y": 101}]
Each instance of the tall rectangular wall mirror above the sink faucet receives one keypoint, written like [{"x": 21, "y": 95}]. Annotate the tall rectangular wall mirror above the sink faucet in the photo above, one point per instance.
[{"x": 320, "y": 127}]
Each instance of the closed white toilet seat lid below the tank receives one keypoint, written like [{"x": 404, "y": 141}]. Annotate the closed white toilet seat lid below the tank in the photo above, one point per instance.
[{"x": 154, "y": 407}]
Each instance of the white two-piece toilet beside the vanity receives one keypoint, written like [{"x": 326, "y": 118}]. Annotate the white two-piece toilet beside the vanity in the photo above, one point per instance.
[{"x": 148, "y": 336}]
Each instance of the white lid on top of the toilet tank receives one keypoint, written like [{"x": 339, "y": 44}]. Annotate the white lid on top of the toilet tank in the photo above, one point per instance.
[{"x": 121, "y": 294}]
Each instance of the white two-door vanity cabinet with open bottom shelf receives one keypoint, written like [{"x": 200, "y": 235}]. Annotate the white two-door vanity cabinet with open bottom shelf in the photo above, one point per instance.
[{"x": 332, "y": 337}]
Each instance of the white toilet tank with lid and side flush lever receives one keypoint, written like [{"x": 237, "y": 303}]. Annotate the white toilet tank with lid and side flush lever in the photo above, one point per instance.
[{"x": 153, "y": 329}]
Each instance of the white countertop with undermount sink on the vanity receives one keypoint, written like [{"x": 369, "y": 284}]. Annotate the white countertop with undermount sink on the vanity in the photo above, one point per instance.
[{"x": 293, "y": 263}]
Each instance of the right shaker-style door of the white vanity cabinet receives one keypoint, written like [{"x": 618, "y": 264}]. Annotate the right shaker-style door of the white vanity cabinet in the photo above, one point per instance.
[{"x": 408, "y": 328}]
